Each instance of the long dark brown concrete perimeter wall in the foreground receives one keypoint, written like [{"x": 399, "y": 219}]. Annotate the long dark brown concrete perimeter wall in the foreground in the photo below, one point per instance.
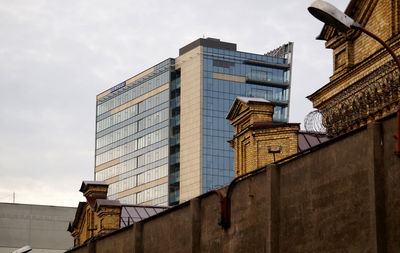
[{"x": 342, "y": 197}]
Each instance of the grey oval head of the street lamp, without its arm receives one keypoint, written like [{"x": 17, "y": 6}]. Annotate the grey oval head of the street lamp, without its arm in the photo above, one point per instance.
[{"x": 332, "y": 16}]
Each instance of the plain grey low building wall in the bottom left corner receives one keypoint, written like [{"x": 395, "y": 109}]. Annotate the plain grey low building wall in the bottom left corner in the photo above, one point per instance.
[{"x": 44, "y": 228}]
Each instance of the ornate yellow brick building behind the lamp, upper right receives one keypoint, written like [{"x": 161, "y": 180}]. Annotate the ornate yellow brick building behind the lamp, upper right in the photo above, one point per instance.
[{"x": 365, "y": 83}]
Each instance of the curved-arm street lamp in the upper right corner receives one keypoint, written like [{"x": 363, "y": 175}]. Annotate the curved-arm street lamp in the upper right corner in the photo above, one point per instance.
[{"x": 330, "y": 15}]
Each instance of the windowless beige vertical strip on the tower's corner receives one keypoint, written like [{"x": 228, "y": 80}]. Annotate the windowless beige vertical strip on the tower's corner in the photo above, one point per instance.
[{"x": 191, "y": 123}]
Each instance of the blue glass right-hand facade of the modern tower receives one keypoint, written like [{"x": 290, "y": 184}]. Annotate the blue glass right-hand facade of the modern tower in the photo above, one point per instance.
[{"x": 265, "y": 77}]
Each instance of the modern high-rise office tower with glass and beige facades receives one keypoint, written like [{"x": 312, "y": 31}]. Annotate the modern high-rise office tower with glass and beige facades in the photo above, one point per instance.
[{"x": 161, "y": 136}]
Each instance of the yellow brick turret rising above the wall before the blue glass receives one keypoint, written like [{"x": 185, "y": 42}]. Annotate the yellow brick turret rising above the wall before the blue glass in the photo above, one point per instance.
[{"x": 258, "y": 140}]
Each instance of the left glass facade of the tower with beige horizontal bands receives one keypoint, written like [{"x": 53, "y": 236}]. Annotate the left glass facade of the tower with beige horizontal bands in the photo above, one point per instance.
[{"x": 132, "y": 138}]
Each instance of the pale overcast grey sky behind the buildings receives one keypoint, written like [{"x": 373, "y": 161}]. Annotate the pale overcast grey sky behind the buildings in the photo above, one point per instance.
[{"x": 56, "y": 56}]
